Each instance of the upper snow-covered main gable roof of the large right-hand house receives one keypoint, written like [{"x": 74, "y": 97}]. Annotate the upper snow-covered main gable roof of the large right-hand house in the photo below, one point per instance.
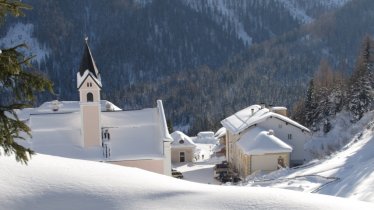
[{"x": 252, "y": 115}]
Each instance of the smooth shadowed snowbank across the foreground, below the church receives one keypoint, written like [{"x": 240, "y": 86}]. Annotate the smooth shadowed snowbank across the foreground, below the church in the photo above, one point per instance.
[{"x": 50, "y": 182}]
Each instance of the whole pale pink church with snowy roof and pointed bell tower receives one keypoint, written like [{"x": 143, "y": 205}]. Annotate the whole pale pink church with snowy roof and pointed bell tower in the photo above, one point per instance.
[{"x": 95, "y": 129}]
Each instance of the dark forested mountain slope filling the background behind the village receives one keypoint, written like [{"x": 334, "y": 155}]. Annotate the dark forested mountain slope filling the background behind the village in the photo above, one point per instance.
[{"x": 193, "y": 54}]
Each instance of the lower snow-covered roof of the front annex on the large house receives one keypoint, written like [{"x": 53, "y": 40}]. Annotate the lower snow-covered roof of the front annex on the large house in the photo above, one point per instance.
[{"x": 258, "y": 142}]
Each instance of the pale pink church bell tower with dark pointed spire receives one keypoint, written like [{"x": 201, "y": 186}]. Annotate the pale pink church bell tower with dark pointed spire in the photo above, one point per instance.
[{"x": 89, "y": 87}]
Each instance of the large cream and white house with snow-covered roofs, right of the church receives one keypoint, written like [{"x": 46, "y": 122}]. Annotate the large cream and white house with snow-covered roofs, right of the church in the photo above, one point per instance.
[{"x": 260, "y": 138}]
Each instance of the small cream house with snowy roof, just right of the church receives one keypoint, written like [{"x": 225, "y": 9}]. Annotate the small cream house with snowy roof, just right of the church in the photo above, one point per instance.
[{"x": 183, "y": 149}]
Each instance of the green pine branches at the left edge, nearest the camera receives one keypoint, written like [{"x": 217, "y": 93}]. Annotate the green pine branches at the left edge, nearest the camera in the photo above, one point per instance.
[{"x": 19, "y": 82}]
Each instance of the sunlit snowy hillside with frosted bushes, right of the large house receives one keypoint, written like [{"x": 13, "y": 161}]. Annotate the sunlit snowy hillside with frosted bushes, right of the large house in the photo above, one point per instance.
[{"x": 348, "y": 173}]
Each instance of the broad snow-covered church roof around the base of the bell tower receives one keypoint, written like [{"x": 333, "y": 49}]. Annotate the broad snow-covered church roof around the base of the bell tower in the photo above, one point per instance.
[{"x": 133, "y": 134}]
